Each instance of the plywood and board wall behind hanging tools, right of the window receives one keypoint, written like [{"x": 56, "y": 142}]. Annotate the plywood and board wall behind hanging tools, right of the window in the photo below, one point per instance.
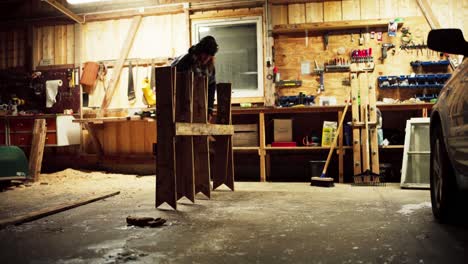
[{"x": 292, "y": 49}]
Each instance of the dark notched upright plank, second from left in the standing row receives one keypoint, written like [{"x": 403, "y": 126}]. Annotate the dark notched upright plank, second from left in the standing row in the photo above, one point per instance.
[{"x": 185, "y": 177}]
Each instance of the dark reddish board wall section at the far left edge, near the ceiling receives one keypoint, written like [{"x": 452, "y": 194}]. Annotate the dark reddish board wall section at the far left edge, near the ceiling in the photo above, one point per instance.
[{"x": 13, "y": 48}]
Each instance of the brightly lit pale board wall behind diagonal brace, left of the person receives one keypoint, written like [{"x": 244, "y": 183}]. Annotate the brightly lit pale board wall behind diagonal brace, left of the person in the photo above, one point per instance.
[{"x": 164, "y": 36}]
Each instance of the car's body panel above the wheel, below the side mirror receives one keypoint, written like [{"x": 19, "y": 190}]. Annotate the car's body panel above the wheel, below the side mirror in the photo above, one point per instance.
[{"x": 452, "y": 108}]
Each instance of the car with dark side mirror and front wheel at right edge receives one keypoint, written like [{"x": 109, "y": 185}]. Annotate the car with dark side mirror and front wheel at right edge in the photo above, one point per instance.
[{"x": 449, "y": 131}]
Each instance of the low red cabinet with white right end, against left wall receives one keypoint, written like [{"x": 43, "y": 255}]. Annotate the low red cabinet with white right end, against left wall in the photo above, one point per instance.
[{"x": 18, "y": 130}]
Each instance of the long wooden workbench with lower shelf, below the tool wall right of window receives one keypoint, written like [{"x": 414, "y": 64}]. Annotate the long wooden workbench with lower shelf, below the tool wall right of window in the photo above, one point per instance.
[{"x": 313, "y": 116}]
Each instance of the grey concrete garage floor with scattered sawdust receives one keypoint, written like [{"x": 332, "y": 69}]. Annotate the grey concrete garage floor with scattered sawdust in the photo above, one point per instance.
[{"x": 258, "y": 223}]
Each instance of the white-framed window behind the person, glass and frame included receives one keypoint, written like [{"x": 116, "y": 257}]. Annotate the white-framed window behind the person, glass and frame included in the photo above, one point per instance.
[{"x": 240, "y": 55}]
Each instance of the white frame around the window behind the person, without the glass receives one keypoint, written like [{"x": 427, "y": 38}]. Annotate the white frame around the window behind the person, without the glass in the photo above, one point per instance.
[{"x": 237, "y": 93}]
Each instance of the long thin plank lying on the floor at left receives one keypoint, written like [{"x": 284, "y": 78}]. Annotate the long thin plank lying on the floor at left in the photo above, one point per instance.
[{"x": 17, "y": 220}]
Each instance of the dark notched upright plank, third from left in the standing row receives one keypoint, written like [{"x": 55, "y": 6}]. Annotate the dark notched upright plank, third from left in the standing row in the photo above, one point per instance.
[{"x": 200, "y": 143}]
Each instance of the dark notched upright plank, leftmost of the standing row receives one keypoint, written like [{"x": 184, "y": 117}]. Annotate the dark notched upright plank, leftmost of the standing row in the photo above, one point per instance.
[{"x": 166, "y": 191}]
